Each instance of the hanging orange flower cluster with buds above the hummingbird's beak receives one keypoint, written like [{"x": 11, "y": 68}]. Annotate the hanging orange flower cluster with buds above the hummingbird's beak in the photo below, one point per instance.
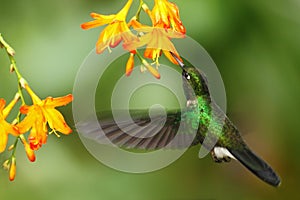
[{"x": 166, "y": 25}]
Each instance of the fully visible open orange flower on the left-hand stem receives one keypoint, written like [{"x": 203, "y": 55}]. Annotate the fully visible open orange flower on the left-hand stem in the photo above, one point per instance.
[{"x": 41, "y": 113}]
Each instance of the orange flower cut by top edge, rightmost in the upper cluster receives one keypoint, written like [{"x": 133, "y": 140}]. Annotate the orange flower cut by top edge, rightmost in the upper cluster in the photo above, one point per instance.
[{"x": 166, "y": 15}]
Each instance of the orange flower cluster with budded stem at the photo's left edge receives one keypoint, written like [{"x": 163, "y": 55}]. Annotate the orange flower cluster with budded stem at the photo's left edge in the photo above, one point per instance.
[{"x": 38, "y": 118}]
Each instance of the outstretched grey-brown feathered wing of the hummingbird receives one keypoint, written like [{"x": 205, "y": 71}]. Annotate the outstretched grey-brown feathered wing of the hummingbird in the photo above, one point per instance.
[{"x": 139, "y": 130}]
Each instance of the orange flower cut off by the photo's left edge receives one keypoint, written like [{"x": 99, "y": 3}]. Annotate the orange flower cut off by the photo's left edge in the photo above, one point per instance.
[{"x": 5, "y": 127}]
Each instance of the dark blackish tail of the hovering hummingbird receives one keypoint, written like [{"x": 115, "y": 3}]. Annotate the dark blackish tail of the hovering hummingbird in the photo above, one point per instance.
[{"x": 257, "y": 166}]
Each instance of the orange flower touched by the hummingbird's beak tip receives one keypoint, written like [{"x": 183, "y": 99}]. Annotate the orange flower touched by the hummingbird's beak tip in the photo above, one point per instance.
[{"x": 157, "y": 41}]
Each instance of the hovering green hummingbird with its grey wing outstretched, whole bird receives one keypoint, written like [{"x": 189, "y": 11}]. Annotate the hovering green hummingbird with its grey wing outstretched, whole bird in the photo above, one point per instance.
[{"x": 202, "y": 116}]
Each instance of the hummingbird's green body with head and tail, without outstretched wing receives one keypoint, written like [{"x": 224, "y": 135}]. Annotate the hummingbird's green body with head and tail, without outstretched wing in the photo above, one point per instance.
[{"x": 229, "y": 144}]
